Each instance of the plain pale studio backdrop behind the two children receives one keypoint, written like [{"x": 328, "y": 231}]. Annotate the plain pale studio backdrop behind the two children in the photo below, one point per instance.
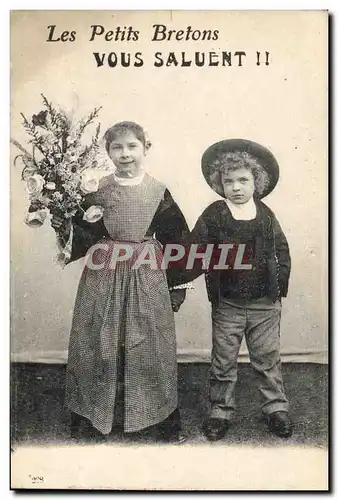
[{"x": 282, "y": 105}]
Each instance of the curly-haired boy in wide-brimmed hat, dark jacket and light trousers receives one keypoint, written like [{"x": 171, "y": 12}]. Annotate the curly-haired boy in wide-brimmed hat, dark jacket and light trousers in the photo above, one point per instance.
[{"x": 246, "y": 298}]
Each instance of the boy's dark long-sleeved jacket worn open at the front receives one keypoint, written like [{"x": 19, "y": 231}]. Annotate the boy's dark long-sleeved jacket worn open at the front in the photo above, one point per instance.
[{"x": 211, "y": 227}]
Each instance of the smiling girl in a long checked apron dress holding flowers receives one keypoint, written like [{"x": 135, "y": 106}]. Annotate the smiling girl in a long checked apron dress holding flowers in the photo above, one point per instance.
[{"x": 122, "y": 348}]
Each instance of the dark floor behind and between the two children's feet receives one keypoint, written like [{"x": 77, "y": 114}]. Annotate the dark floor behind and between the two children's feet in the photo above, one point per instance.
[{"x": 38, "y": 415}]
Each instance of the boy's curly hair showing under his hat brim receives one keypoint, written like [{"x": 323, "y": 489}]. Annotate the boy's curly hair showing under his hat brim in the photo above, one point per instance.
[{"x": 228, "y": 162}]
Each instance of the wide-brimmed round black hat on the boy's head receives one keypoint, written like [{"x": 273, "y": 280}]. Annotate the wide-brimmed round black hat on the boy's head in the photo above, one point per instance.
[{"x": 263, "y": 156}]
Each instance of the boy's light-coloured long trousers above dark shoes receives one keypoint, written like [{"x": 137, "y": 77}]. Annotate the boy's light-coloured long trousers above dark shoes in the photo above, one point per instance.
[{"x": 259, "y": 321}]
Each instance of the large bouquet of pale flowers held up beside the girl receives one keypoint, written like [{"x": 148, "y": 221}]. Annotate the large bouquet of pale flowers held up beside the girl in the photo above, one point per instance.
[{"x": 60, "y": 169}]
